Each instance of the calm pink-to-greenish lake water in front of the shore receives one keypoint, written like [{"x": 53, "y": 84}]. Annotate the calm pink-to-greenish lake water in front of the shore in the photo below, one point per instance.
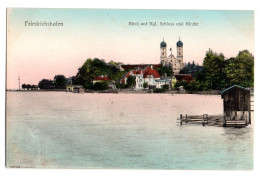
[{"x": 66, "y": 130}]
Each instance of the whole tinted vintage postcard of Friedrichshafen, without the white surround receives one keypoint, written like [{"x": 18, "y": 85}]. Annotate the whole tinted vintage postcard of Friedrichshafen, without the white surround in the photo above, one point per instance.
[{"x": 130, "y": 89}]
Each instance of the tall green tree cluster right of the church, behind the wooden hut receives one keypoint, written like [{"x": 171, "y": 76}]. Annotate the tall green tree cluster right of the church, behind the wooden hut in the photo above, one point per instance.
[{"x": 218, "y": 73}]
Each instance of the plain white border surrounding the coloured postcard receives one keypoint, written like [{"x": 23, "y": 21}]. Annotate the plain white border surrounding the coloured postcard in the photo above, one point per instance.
[{"x": 123, "y": 4}]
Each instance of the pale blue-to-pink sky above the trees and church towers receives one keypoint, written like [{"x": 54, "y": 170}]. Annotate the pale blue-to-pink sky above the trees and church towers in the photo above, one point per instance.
[{"x": 38, "y": 52}]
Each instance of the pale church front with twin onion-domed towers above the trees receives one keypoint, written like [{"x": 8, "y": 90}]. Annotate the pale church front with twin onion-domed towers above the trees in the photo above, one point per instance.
[{"x": 176, "y": 63}]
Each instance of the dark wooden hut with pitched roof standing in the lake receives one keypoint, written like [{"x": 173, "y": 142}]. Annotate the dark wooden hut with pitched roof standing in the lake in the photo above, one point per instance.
[{"x": 236, "y": 101}]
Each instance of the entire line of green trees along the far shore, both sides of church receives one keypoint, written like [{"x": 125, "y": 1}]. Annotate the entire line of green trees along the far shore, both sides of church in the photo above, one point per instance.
[{"x": 216, "y": 73}]
